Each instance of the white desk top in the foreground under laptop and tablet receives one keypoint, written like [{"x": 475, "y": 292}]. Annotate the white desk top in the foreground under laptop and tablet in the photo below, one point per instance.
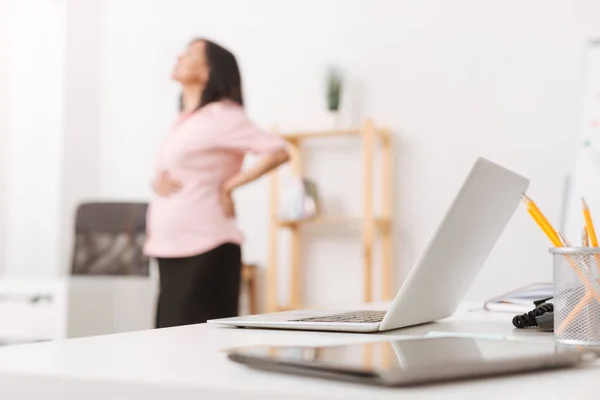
[{"x": 188, "y": 363}]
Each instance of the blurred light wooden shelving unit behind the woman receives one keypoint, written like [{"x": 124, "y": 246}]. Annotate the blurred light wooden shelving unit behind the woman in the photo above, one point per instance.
[{"x": 372, "y": 139}]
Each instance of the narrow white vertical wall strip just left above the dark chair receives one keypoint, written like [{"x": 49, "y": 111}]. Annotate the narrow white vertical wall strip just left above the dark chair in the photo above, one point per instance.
[{"x": 83, "y": 103}]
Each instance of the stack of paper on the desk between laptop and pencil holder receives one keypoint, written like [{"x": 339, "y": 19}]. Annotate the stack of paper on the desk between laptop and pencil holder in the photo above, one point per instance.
[{"x": 520, "y": 300}]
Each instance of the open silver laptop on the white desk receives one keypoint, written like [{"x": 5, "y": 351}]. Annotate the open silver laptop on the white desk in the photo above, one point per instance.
[{"x": 438, "y": 282}]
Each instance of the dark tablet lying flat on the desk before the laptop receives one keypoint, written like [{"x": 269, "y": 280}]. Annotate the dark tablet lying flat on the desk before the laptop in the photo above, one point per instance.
[{"x": 410, "y": 362}]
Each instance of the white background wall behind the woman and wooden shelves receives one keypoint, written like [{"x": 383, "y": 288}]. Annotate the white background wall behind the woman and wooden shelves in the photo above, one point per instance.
[{"x": 453, "y": 80}]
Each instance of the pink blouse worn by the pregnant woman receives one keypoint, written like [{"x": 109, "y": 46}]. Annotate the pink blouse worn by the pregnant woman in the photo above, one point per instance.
[{"x": 203, "y": 150}]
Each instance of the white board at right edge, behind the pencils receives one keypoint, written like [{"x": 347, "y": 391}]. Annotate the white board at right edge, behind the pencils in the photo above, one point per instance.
[{"x": 584, "y": 180}]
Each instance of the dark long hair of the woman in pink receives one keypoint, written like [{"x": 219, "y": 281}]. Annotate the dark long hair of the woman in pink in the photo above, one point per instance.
[{"x": 224, "y": 78}]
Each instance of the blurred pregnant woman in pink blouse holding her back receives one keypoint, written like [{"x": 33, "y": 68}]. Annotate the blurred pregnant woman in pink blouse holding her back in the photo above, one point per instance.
[{"x": 191, "y": 222}]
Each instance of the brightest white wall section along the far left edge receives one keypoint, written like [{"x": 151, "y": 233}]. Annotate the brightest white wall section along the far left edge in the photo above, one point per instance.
[{"x": 35, "y": 97}]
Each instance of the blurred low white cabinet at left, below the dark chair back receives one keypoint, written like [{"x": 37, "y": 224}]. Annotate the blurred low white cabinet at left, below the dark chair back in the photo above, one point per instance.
[{"x": 49, "y": 309}]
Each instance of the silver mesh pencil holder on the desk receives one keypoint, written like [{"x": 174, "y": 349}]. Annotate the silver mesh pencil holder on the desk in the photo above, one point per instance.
[{"x": 577, "y": 295}]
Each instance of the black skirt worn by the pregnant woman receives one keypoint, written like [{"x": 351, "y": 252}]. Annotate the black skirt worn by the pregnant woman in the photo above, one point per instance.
[{"x": 198, "y": 288}]
